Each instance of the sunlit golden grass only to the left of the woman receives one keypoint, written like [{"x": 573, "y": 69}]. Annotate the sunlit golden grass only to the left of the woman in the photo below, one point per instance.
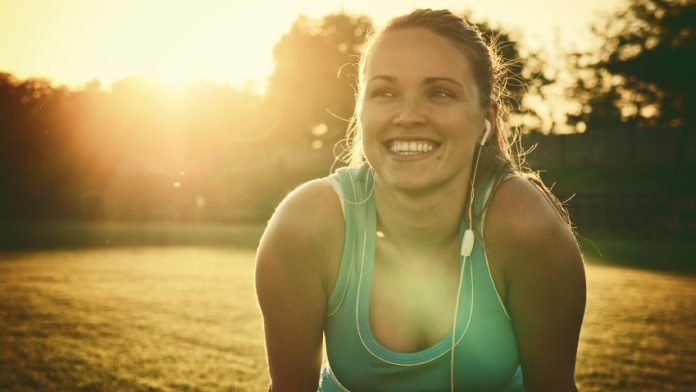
[{"x": 130, "y": 319}]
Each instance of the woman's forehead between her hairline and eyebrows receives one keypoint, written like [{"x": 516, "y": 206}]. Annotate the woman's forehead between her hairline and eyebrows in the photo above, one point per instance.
[{"x": 416, "y": 53}]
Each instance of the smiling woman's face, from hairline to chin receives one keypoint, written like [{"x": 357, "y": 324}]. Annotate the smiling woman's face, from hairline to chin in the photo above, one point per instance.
[{"x": 421, "y": 115}]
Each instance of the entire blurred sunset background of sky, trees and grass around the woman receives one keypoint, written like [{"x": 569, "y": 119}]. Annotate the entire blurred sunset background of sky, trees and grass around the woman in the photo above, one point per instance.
[{"x": 127, "y": 125}]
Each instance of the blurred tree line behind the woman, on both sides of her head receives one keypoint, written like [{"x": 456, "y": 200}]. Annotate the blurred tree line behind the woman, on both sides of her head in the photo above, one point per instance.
[{"x": 212, "y": 151}]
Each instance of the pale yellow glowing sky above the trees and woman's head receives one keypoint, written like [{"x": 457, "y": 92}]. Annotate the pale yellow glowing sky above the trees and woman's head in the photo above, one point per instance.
[{"x": 176, "y": 42}]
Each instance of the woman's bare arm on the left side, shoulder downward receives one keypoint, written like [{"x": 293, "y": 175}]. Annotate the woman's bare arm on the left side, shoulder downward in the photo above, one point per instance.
[{"x": 302, "y": 240}]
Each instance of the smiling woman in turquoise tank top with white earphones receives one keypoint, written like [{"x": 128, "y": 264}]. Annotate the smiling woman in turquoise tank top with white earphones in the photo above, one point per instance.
[{"x": 381, "y": 260}]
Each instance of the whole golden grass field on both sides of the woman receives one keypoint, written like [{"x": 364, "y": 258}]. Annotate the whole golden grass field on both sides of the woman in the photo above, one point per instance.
[{"x": 185, "y": 318}]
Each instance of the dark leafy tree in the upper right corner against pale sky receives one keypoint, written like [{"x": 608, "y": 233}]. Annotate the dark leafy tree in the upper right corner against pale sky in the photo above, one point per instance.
[{"x": 642, "y": 76}]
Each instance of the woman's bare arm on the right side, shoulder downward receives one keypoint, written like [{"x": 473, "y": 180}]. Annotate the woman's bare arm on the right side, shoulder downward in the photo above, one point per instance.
[{"x": 545, "y": 283}]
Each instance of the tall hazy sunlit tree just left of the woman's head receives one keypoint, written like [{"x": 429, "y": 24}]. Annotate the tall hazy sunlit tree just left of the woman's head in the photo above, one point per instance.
[{"x": 311, "y": 92}]
